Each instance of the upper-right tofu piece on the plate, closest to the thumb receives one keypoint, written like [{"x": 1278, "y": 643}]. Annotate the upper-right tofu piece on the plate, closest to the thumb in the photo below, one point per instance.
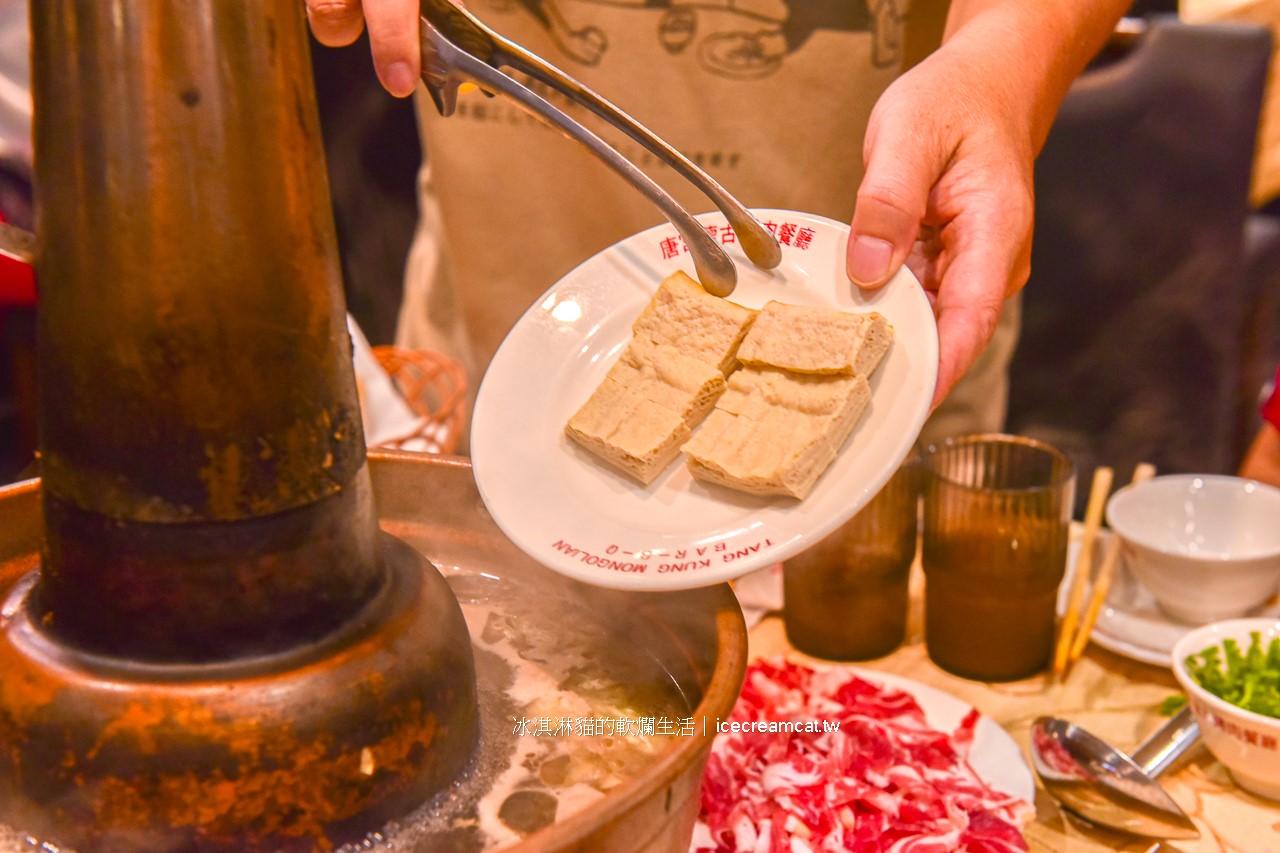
[{"x": 816, "y": 340}]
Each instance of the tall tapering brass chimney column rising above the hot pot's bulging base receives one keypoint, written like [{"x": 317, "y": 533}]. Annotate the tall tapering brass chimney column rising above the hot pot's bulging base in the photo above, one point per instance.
[{"x": 200, "y": 427}]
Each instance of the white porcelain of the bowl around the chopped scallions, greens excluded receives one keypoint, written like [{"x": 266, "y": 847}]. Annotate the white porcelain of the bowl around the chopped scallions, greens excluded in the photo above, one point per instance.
[{"x": 1247, "y": 743}]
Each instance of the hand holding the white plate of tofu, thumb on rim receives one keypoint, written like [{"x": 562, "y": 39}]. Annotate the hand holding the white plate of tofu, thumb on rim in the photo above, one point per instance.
[{"x": 948, "y": 190}]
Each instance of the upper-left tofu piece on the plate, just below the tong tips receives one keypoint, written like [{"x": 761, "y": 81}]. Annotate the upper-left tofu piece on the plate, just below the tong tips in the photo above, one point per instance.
[{"x": 706, "y": 327}]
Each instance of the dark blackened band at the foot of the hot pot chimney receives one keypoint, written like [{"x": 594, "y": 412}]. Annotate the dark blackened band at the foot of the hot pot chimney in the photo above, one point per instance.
[{"x": 212, "y": 591}]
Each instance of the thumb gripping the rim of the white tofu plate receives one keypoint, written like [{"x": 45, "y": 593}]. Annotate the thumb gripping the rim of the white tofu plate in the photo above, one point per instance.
[{"x": 892, "y": 203}]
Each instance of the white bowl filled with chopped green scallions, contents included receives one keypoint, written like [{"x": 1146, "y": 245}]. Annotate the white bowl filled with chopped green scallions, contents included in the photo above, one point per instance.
[{"x": 1231, "y": 673}]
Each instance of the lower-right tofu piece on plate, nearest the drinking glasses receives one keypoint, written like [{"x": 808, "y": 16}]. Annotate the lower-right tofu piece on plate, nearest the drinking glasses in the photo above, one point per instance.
[{"x": 776, "y": 432}]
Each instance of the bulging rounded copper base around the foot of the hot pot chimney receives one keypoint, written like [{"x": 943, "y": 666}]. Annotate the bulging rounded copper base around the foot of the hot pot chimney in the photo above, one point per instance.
[{"x": 299, "y": 751}]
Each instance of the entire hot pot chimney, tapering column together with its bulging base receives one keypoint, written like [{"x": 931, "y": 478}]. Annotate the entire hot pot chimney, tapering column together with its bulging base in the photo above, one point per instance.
[{"x": 220, "y": 651}]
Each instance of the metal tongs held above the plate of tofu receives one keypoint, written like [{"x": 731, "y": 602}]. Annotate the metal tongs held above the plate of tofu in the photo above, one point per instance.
[{"x": 458, "y": 48}]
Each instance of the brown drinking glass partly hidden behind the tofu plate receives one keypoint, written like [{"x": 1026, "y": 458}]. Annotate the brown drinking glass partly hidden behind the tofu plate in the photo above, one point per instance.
[{"x": 847, "y": 597}]
